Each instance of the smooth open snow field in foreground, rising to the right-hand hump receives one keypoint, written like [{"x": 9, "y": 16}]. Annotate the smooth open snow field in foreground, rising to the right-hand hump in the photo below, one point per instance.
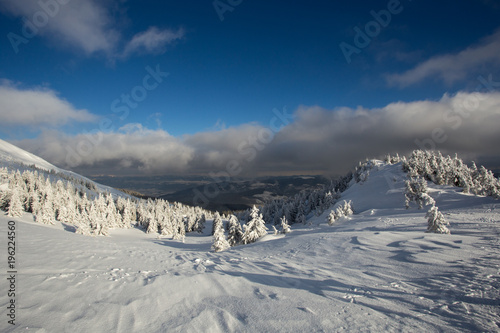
[{"x": 377, "y": 272}]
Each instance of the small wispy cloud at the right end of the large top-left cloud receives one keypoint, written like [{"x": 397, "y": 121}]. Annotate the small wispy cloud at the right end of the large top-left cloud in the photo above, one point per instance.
[{"x": 153, "y": 41}]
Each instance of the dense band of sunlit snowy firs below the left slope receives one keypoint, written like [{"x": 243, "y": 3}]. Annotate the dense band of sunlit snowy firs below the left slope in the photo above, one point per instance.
[{"x": 50, "y": 198}]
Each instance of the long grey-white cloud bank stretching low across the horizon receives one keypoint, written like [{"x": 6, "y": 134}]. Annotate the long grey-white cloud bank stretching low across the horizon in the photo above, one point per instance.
[{"x": 316, "y": 141}]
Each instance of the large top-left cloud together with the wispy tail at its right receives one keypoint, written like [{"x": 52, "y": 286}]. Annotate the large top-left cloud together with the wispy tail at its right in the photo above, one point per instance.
[{"x": 88, "y": 26}]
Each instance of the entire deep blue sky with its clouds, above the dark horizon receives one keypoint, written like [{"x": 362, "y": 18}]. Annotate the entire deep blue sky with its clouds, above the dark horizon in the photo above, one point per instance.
[{"x": 230, "y": 64}]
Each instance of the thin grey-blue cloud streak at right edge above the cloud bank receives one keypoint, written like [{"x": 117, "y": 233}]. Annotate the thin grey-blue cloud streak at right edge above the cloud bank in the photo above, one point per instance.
[{"x": 451, "y": 68}]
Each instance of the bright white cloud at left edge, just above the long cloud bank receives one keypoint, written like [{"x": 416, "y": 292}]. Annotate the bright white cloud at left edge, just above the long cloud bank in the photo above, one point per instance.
[{"x": 37, "y": 107}]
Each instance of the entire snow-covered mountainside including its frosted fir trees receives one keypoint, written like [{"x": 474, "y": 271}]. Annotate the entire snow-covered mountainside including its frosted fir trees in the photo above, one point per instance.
[{"x": 369, "y": 265}]
